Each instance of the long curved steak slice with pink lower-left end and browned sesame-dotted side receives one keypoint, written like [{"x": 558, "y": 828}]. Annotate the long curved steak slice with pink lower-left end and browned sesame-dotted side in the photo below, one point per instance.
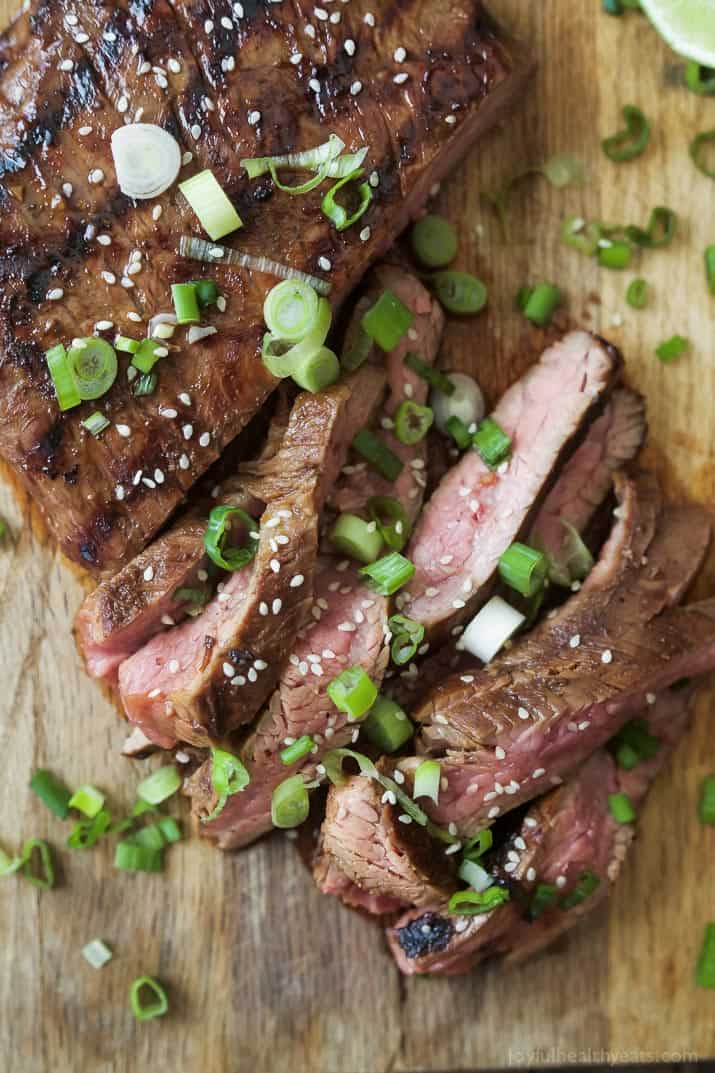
[{"x": 214, "y": 673}]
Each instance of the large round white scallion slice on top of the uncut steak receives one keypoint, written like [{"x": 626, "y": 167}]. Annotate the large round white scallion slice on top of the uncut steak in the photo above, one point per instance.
[{"x": 147, "y": 159}]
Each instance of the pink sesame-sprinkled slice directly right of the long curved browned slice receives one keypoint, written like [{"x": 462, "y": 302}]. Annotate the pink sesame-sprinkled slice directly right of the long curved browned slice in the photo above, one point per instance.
[{"x": 348, "y": 629}]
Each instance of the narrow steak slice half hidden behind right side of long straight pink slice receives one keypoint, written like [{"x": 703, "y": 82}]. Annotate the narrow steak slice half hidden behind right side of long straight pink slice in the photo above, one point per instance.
[{"x": 614, "y": 439}]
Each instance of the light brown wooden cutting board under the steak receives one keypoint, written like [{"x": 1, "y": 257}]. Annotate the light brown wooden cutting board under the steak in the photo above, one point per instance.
[{"x": 265, "y": 973}]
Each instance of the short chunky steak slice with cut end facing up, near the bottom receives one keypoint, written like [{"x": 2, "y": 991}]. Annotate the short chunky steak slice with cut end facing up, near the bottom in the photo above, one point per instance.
[{"x": 377, "y": 847}]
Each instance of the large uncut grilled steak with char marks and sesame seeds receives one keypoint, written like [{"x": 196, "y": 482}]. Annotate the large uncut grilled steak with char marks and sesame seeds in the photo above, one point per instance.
[{"x": 228, "y": 82}]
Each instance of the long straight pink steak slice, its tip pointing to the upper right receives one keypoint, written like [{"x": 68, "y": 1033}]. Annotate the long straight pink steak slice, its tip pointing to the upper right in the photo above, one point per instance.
[{"x": 476, "y": 513}]
